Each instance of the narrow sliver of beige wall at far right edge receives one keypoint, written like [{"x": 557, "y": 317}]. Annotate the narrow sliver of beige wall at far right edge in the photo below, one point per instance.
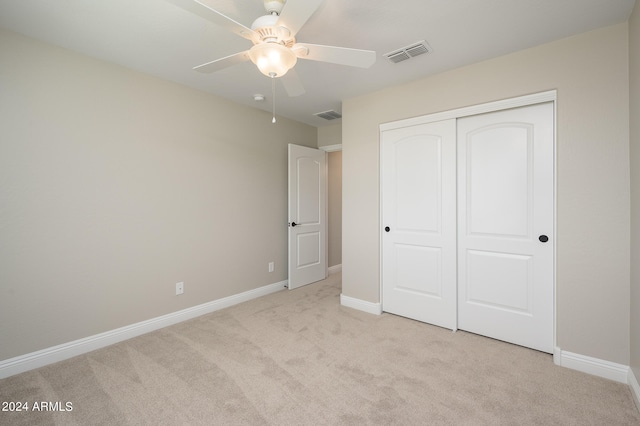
[{"x": 634, "y": 73}]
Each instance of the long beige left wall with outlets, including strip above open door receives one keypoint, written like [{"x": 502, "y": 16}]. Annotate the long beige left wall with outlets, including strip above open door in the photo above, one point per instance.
[{"x": 115, "y": 185}]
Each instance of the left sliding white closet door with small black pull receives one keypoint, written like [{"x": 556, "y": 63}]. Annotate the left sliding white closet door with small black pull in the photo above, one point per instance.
[{"x": 419, "y": 219}]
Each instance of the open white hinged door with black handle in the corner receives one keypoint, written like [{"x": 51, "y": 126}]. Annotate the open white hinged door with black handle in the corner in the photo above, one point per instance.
[{"x": 307, "y": 215}]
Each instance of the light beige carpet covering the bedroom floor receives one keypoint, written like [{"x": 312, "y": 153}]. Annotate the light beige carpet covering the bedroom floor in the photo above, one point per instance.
[{"x": 298, "y": 357}]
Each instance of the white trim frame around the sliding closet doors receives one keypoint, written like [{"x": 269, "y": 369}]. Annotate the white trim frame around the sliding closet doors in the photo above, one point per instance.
[{"x": 520, "y": 101}]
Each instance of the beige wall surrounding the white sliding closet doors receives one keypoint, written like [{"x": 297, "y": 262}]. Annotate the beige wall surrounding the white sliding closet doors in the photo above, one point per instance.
[{"x": 590, "y": 72}]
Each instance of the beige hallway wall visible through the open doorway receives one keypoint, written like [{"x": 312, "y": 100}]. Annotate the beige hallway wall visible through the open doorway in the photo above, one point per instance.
[{"x": 335, "y": 207}]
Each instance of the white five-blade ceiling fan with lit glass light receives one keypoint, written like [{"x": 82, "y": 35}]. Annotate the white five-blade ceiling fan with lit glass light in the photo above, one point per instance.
[{"x": 275, "y": 50}]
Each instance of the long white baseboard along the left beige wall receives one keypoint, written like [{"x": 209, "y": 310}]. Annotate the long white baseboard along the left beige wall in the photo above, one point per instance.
[{"x": 64, "y": 351}]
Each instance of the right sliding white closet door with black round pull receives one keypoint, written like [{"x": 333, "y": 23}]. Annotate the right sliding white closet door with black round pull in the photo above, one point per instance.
[{"x": 505, "y": 225}]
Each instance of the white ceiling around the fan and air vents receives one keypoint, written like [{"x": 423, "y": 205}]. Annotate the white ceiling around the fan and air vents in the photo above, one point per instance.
[{"x": 158, "y": 38}]
